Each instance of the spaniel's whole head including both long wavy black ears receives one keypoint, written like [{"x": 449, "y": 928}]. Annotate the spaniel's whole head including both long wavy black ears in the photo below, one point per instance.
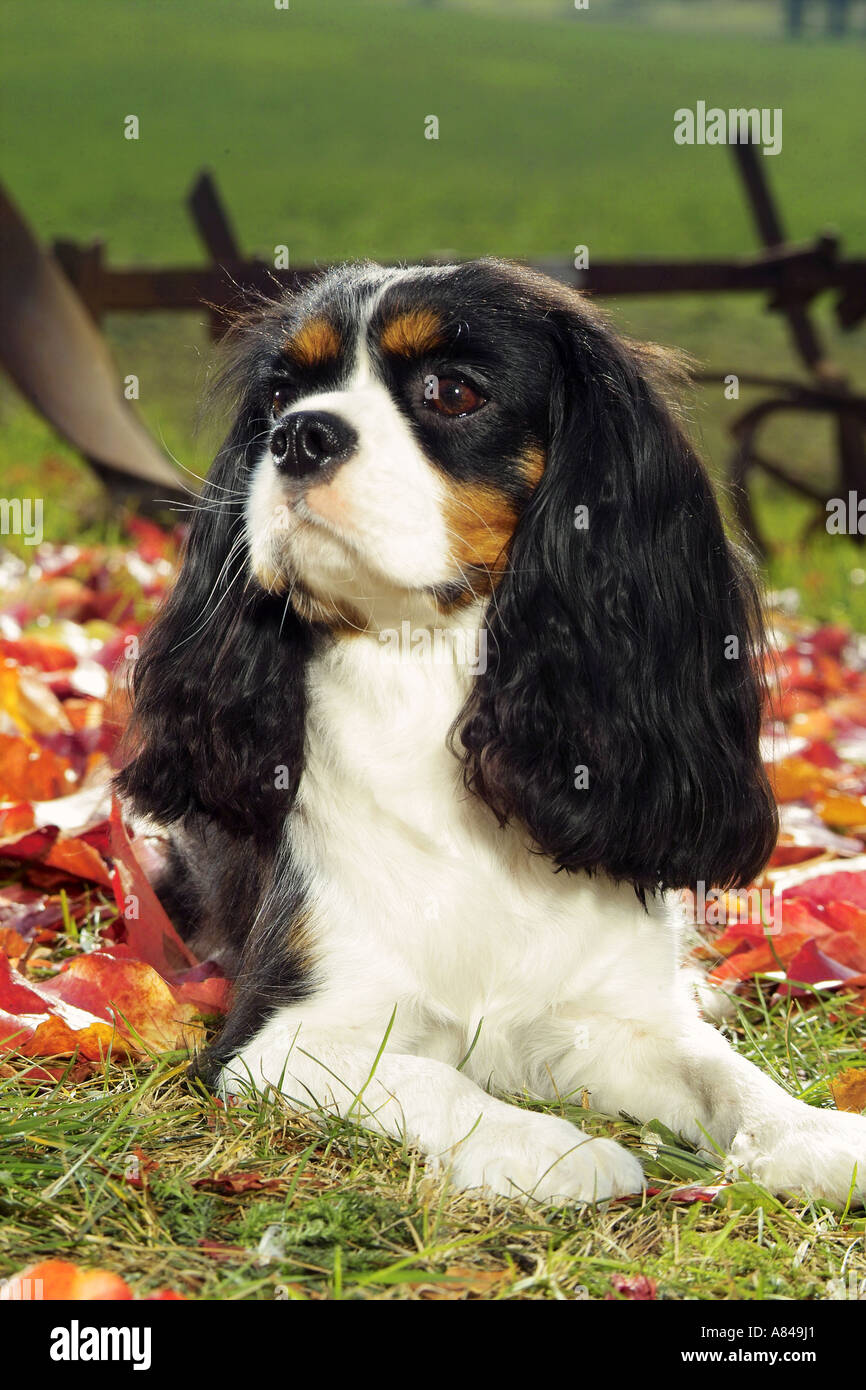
[{"x": 415, "y": 441}]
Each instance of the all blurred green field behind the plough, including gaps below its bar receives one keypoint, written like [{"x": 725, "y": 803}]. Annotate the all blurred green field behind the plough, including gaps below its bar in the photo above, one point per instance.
[{"x": 555, "y": 130}]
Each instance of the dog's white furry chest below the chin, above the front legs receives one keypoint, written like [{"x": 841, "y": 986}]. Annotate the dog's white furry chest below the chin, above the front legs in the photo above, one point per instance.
[{"x": 419, "y": 896}]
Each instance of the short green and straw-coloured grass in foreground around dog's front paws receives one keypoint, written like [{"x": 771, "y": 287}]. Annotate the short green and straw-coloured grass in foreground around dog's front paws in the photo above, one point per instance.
[{"x": 336, "y": 1213}]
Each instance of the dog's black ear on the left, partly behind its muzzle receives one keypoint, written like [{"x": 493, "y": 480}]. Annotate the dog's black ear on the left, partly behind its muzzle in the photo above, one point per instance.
[{"x": 219, "y": 690}]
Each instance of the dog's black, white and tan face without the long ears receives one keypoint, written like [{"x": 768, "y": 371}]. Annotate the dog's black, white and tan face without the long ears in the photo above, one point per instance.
[{"x": 407, "y": 420}]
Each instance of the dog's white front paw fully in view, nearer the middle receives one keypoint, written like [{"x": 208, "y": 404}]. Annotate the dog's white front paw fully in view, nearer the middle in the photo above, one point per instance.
[{"x": 546, "y": 1159}]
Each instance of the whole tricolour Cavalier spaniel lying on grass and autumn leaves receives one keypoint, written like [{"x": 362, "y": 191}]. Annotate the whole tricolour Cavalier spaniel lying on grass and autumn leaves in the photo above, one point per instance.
[{"x": 458, "y": 687}]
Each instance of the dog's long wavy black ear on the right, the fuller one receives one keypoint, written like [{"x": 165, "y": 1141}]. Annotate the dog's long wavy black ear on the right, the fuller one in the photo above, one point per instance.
[{"x": 619, "y": 715}]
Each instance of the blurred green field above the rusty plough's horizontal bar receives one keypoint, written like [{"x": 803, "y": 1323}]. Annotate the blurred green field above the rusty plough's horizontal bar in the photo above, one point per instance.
[{"x": 553, "y": 133}]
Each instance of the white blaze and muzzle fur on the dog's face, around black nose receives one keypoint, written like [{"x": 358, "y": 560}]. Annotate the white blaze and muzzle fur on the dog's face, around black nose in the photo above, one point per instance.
[{"x": 387, "y": 501}]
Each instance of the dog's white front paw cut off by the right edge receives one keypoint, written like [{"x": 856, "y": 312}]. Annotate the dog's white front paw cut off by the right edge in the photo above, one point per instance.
[{"x": 811, "y": 1152}]
